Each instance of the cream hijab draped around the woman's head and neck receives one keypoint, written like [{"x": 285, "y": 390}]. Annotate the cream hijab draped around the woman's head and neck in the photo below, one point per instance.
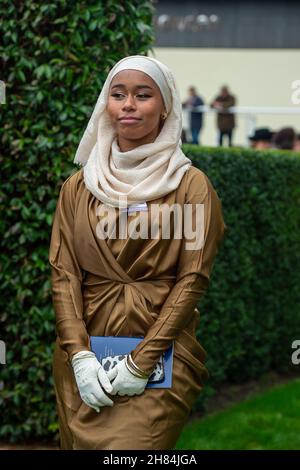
[{"x": 147, "y": 172}]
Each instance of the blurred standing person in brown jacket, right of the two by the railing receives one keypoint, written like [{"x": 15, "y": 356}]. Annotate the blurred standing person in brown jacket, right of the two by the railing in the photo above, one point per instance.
[{"x": 225, "y": 119}]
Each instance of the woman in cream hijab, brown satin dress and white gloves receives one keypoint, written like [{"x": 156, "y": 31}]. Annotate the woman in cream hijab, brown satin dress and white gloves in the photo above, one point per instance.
[{"x": 130, "y": 286}]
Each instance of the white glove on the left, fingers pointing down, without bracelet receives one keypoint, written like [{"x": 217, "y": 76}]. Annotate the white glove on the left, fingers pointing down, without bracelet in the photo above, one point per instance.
[{"x": 88, "y": 373}]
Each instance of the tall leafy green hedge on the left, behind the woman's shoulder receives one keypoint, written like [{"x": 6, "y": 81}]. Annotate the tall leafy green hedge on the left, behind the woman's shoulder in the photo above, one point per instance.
[{"x": 54, "y": 58}]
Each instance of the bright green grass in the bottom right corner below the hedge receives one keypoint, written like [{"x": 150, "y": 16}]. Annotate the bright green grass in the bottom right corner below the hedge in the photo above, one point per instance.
[{"x": 269, "y": 420}]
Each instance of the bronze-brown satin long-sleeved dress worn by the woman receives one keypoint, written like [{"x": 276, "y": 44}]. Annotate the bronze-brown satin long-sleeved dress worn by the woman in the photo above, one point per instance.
[{"x": 146, "y": 287}]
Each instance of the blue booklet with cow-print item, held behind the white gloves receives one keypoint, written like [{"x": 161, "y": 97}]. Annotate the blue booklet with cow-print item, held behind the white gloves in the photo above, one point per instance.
[{"x": 110, "y": 350}]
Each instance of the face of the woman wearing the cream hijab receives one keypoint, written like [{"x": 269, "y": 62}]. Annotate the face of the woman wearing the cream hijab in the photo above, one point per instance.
[{"x": 135, "y": 96}]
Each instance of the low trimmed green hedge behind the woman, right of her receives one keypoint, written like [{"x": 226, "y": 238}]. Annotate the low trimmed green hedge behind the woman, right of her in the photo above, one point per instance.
[{"x": 251, "y": 312}]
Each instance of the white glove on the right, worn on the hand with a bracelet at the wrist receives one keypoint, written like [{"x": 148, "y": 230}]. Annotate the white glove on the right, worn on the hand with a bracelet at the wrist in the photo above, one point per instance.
[{"x": 125, "y": 382}]
